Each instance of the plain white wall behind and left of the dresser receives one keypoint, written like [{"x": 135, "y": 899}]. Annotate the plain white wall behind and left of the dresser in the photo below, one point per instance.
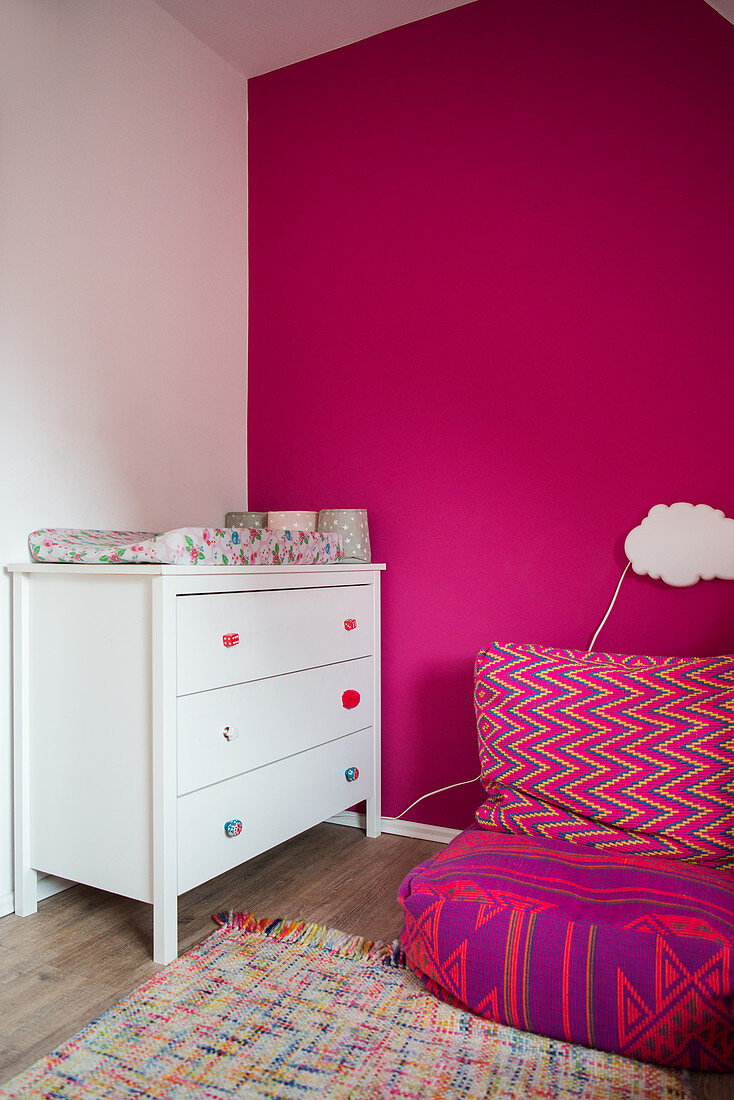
[{"x": 123, "y": 294}]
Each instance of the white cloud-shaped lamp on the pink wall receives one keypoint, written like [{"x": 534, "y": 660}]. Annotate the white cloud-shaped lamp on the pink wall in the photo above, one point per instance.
[{"x": 682, "y": 544}]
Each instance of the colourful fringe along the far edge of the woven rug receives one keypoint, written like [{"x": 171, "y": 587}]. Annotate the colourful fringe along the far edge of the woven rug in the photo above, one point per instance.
[{"x": 315, "y": 936}]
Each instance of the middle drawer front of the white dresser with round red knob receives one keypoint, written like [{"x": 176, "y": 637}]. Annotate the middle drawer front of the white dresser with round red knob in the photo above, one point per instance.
[{"x": 229, "y": 731}]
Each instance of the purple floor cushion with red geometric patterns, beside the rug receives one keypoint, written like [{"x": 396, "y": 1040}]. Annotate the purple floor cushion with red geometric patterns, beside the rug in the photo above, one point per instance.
[{"x": 629, "y": 954}]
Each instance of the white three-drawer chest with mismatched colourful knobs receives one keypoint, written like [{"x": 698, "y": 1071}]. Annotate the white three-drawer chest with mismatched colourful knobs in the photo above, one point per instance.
[{"x": 173, "y": 722}]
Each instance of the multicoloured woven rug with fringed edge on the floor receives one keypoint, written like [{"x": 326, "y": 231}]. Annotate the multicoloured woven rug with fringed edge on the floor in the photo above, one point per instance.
[{"x": 289, "y": 1010}]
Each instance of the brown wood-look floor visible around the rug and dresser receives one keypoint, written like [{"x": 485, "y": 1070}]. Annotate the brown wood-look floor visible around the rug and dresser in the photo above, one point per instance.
[{"x": 85, "y": 950}]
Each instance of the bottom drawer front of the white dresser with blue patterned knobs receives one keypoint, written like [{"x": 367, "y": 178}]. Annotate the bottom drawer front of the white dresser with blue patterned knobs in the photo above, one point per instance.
[{"x": 273, "y": 804}]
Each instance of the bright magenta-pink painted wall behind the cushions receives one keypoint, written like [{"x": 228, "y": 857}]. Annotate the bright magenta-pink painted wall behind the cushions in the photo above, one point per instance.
[{"x": 491, "y": 292}]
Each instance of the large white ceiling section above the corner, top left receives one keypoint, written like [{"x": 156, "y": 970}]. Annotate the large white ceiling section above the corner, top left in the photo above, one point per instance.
[{"x": 257, "y": 37}]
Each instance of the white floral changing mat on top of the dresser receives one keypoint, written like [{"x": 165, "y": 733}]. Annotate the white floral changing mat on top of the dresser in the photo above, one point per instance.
[{"x": 188, "y": 546}]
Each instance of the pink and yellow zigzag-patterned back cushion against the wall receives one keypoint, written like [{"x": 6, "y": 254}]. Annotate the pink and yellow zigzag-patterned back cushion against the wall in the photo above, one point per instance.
[{"x": 618, "y": 752}]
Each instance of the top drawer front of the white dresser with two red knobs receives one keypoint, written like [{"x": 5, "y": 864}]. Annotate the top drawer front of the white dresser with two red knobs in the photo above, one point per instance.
[{"x": 232, "y": 637}]
